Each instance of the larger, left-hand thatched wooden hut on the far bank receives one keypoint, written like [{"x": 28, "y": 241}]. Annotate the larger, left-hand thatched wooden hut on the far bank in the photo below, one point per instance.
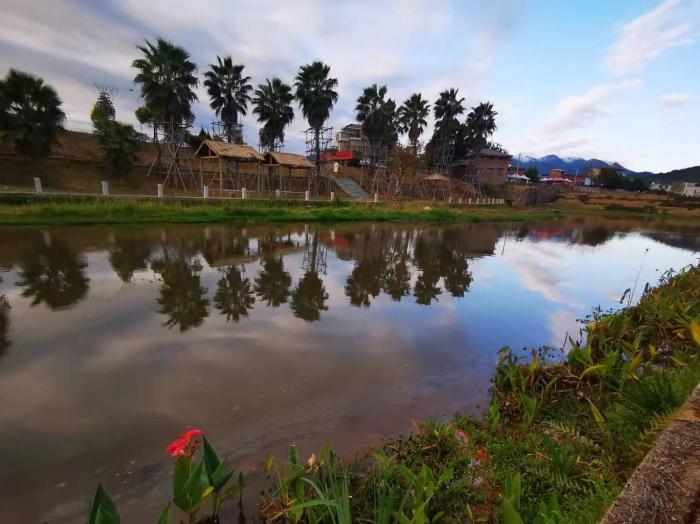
[{"x": 228, "y": 167}]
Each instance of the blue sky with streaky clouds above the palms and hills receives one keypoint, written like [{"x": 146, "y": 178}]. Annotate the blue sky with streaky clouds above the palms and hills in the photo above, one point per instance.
[{"x": 619, "y": 81}]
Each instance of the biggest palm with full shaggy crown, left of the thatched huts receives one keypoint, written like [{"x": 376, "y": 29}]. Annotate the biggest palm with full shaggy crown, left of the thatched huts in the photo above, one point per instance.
[{"x": 167, "y": 78}]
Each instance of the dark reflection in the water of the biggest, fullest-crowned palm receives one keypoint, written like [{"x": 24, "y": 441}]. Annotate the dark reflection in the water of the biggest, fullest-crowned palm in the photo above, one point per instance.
[{"x": 182, "y": 298}]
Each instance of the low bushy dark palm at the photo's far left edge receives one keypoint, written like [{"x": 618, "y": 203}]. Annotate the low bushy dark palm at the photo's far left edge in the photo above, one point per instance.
[{"x": 30, "y": 113}]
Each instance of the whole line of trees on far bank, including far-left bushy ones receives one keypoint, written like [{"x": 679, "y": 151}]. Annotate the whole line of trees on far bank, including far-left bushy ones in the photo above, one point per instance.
[{"x": 31, "y": 114}]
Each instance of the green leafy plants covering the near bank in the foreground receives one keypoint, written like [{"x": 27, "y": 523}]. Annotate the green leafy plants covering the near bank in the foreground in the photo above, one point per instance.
[{"x": 557, "y": 442}]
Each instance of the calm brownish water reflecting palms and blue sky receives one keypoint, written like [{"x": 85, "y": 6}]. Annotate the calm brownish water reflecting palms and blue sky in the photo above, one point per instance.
[{"x": 113, "y": 339}]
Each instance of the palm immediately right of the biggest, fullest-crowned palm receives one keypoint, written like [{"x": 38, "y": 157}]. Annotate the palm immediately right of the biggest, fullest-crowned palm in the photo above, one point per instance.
[{"x": 229, "y": 92}]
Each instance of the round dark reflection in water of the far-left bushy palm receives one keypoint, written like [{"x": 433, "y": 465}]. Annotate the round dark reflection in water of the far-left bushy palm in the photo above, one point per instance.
[{"x": 54, "y": 275}]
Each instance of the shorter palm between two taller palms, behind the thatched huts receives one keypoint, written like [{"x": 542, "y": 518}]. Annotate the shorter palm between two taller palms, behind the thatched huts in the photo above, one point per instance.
[{"x": 273, "y": 106}]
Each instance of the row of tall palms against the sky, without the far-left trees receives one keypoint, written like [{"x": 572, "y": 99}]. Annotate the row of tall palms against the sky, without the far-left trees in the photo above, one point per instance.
[{"x": 166, "y": 76}]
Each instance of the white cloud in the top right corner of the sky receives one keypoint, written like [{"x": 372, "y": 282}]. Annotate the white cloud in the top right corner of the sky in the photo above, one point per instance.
[{"x": 671, "y": 24}]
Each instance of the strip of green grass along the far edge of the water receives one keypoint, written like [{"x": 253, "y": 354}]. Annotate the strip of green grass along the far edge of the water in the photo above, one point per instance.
[{"x": 76, "y": 210}]
